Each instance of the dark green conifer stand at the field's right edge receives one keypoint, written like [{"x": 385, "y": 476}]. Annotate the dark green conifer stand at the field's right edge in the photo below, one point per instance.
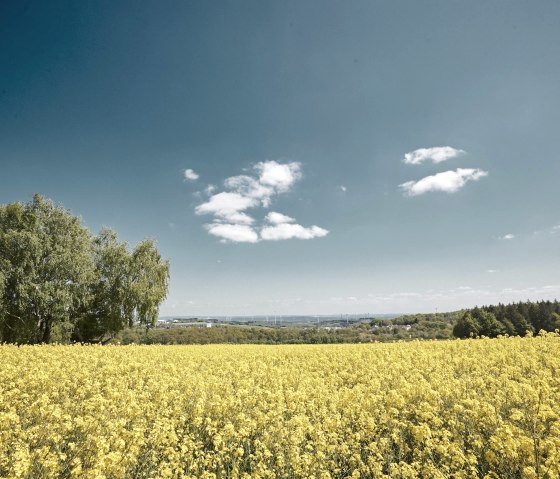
[{"x": 515, "y": 319}]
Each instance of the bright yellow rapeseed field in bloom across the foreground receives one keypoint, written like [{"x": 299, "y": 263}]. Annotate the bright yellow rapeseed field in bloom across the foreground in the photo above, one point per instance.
[{"x": 482, "y": 408}]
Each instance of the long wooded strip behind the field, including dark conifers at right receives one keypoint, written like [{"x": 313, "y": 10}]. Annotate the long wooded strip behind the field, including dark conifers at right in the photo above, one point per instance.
[{"x": 516, "y": 319}]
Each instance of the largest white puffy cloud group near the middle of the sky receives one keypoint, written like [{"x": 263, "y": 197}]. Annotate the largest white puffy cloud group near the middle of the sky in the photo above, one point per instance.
[{"x": 244, "y": 192}]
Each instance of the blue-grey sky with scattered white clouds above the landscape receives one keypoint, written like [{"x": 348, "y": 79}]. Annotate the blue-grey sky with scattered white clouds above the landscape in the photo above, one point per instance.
[{"x": 298, "y": 157}]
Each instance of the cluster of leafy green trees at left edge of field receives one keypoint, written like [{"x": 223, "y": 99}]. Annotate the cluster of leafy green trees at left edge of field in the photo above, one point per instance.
[{"x": 58, "y": 282}]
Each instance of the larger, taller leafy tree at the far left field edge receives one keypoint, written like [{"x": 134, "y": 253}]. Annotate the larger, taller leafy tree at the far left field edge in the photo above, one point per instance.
[{"x": 46, "y": 267}]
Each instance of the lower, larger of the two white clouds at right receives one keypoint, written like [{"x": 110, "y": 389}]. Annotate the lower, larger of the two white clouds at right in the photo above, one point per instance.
[{"x": 447, "y": 181}]
